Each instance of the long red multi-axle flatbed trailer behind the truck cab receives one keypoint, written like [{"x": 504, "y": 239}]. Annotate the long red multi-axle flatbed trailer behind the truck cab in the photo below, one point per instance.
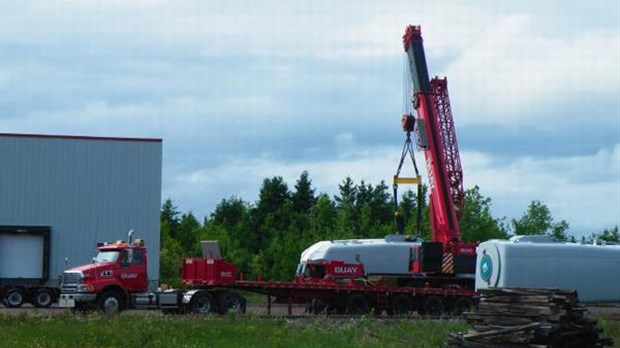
[{"x": 331, "y": 295}]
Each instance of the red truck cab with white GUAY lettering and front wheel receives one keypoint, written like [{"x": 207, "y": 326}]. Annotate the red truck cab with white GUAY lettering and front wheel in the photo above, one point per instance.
[{"x": 117, "y": 271}]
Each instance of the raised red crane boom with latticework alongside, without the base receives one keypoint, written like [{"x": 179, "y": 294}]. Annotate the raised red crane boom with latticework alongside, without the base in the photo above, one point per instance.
[{"x": 432, "y": 104}]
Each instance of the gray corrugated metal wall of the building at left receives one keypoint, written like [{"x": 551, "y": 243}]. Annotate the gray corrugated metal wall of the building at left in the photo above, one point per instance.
[{"x": 86, "y": 189}]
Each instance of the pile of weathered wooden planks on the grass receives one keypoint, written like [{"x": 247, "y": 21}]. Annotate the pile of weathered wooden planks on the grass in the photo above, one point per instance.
[{"x": 525, "y": 317}]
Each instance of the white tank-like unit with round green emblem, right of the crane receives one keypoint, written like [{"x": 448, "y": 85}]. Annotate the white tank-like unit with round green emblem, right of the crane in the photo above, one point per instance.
[{"x": 534, "y": 261}]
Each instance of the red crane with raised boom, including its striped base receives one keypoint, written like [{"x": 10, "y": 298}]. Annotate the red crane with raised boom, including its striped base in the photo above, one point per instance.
[{"x": 436, "y": 136}]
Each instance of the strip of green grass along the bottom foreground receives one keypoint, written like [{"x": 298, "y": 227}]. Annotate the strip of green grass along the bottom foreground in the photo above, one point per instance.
[{"x": 94, "y": 330}]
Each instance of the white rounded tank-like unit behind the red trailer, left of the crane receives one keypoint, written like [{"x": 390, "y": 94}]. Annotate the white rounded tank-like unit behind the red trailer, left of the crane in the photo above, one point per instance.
[{"x": 391, "y": 255}]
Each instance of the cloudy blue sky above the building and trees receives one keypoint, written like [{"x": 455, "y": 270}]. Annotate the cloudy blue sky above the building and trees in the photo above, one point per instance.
[{"x": 240, "y": 91}]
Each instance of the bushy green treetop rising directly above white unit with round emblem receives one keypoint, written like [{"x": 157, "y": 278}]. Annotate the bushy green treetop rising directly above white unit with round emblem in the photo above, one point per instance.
[{"x": 538, "y": 220}]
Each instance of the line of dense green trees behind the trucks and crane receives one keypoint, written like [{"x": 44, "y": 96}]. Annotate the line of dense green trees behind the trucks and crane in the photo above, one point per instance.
[{"x": 267, "y": 236}]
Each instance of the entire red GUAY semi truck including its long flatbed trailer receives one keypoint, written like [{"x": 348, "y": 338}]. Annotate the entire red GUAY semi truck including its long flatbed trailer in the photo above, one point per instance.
[{"x": 116, "y": 280}]
